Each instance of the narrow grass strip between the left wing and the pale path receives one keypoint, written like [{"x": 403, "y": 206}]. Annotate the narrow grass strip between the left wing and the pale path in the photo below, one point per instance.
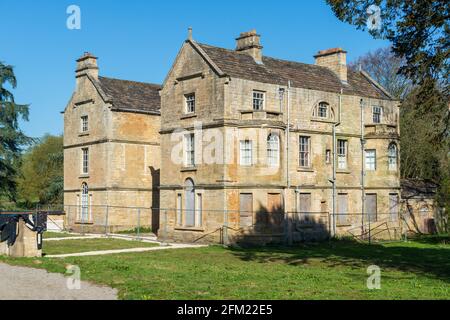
[{"x": 86, "y": 245}]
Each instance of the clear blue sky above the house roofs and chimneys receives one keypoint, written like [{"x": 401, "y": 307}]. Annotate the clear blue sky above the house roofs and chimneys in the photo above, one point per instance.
[{"x": 138, "y": 40}]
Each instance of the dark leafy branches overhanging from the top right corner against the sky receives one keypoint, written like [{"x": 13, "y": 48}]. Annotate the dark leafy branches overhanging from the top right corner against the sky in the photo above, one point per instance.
[{"x": 419, "y": 31}]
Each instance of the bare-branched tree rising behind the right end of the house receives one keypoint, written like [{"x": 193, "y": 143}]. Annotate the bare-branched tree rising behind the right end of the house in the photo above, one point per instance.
[{"x": 425, "y": 139}]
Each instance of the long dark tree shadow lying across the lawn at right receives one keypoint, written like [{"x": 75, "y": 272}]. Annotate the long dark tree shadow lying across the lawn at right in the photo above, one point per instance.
[{"x": 430, "y": 262}]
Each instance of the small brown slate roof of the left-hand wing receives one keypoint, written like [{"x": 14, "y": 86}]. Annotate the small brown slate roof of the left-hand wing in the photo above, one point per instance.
[{"x": 132, "y": 96}]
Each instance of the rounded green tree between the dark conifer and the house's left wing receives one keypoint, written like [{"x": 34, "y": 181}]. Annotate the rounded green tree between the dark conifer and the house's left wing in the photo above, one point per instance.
[{"x": 41, "y": 173}]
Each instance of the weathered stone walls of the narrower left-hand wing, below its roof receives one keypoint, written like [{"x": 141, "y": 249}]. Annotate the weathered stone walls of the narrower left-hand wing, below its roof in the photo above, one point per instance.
[{"x": 124, "y": 163}]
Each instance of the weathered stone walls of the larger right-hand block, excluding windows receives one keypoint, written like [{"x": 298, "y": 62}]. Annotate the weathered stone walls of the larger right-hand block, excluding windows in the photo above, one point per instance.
[{"x": 226, "y": 105}]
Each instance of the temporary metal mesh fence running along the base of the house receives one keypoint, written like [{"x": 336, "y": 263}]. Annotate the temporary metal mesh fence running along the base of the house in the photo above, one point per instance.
[{"x": 236, "y": 226}]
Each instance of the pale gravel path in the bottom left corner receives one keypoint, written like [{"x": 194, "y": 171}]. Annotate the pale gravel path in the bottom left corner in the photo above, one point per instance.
[{"x": 19, "y": 283}]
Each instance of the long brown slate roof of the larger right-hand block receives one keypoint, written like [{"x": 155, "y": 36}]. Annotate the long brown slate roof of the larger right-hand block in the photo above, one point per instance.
[{"x": 301, "y": 75}]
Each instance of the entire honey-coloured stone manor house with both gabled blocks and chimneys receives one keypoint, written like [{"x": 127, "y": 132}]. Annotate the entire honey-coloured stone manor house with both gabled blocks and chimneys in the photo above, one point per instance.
[{"x": 312, "y": 149}]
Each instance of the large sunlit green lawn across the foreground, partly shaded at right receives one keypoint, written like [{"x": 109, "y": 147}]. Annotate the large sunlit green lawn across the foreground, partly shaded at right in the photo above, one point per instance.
[{"x": 335, "y": 270}]
